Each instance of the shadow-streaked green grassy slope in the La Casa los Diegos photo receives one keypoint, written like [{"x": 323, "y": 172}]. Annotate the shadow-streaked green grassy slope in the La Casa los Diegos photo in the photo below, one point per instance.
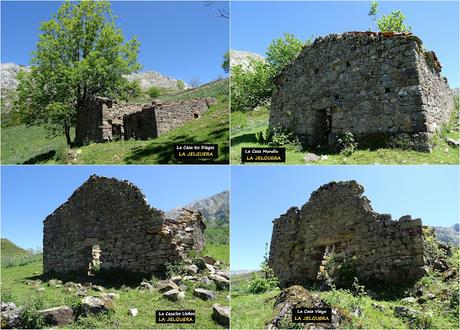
[{"x": 21, "y": 144}]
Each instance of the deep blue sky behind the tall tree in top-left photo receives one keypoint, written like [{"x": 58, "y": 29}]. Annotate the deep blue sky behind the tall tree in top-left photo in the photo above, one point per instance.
[{"x": 183, "y": 40}]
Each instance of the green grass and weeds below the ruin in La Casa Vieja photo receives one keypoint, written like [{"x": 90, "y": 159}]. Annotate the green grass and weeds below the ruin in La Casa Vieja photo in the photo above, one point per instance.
[{"x": 438, "y": 311}]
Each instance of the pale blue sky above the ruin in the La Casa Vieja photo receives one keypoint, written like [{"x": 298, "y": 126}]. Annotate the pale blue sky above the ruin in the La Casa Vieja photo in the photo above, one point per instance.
[{"x": 261, "y": 194}]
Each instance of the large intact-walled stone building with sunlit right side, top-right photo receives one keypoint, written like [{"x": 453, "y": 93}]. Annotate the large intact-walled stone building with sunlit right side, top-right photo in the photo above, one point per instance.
[{"x": 375, "y": 85}]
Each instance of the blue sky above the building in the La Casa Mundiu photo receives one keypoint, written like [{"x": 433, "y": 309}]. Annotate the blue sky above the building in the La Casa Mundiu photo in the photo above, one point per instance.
[{"x": 256, "y": 24}]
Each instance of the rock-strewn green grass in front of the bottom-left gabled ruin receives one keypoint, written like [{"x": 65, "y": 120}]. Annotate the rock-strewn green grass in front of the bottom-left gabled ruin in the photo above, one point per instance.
[{"x": 14, "y": 287}]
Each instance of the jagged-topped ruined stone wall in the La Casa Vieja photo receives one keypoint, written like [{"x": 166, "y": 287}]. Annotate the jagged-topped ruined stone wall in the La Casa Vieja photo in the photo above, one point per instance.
[{"x": 339, "y": 218}]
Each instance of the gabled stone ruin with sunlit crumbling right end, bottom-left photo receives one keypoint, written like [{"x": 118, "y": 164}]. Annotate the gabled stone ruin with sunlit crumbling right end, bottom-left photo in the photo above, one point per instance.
[{"x": 107, "y": 222}]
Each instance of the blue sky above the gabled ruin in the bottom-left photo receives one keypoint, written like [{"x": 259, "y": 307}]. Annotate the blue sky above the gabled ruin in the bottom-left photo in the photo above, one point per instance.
[{"x": 30, "y": 193}]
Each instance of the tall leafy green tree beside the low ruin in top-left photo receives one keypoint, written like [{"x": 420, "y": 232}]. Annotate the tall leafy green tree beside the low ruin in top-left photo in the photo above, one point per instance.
[{"x": 80, "y": 54}]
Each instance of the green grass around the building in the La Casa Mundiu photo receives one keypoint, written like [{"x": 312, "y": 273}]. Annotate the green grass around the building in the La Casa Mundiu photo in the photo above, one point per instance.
[{"x": 245, "y": 125}]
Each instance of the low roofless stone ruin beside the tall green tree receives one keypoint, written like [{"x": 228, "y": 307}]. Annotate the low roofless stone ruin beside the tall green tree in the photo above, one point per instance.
[{"x": 105, "y": 120}]
